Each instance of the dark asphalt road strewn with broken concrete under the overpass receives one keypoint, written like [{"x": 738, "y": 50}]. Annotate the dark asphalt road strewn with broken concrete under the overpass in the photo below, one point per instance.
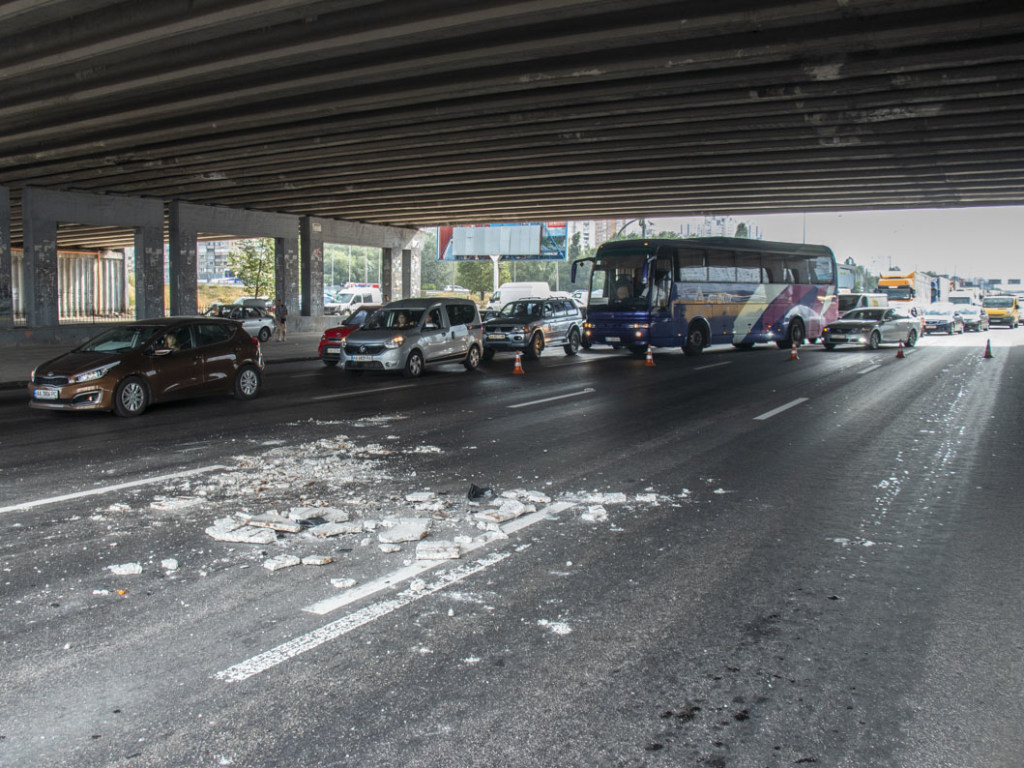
[{"x": 746, "y": 562}]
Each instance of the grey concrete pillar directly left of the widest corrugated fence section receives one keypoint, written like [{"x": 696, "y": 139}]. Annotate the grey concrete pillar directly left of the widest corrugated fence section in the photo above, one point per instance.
[{"x": 42, "y": 307}]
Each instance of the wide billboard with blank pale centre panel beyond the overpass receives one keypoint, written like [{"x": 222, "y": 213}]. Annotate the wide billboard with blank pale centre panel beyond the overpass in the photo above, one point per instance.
[{"x": 538, "y": 242}]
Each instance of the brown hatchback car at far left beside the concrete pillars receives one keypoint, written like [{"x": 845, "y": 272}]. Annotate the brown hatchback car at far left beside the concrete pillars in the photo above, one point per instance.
[{"x": 134, "y": 365}]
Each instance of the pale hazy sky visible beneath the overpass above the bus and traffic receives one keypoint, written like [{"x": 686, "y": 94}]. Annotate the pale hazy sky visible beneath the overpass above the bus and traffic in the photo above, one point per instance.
[{"x": 960, "y": 242}]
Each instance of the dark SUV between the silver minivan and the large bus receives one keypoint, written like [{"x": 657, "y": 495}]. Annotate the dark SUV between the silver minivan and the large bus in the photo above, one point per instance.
[{"x": 532, "y": 325}]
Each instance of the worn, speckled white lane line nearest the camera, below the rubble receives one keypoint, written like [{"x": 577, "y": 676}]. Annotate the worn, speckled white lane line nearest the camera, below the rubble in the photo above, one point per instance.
[{"x": 347, "y": 624}]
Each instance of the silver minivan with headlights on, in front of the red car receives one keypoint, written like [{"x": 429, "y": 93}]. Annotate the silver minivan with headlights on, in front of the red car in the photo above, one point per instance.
[{"x": 410, "y": 334}]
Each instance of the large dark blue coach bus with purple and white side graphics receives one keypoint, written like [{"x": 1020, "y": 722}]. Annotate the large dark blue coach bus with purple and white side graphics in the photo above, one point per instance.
[{"x": 693, "y": 293}]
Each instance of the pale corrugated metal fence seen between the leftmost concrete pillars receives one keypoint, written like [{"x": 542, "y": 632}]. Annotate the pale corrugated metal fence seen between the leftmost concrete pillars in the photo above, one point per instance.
[{"x": 93, "y": 286}]
